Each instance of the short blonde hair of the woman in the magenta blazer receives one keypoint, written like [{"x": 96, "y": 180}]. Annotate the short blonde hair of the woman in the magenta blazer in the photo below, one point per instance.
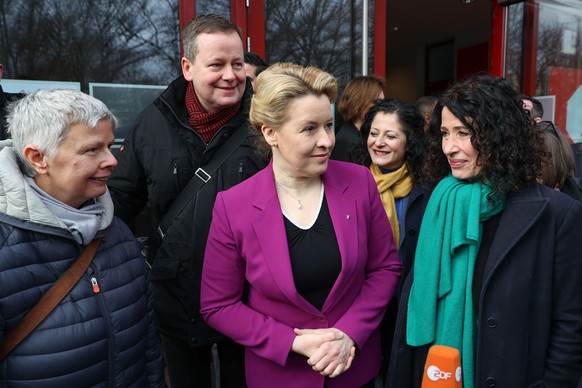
[{"x": 277, "y": 87}]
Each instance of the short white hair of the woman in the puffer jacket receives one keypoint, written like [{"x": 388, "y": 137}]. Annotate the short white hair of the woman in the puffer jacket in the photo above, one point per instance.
[{"x": 44, "y": 117}]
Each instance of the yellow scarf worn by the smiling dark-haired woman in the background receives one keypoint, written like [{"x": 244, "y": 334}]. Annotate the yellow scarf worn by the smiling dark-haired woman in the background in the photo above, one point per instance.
[{"x": 396, "y": 184}]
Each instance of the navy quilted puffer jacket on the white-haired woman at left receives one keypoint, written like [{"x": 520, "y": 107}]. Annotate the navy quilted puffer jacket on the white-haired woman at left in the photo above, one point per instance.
[{"x": 99, "y": 339}]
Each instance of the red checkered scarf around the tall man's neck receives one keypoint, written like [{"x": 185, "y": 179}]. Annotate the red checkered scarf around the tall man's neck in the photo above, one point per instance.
[{"x": 207, "y": 124}]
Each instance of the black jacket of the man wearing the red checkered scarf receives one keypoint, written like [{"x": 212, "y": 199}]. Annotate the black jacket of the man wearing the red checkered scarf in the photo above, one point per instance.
[{"x": 159, "y": 157}]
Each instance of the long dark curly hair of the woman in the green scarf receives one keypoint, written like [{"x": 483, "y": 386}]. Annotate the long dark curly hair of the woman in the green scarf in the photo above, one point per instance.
[{"x": 509, "y": 151}]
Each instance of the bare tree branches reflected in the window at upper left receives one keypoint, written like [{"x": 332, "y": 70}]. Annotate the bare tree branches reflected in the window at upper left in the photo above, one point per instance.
[{"x": 90, "y": 41}]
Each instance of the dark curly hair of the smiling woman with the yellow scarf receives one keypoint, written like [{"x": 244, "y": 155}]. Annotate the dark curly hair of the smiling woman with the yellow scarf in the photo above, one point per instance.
[{"x": 412, "y": 123}]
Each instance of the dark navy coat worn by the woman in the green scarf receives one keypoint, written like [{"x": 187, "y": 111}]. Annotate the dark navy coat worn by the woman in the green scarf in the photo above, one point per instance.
[{"x": 530, "y": 316}]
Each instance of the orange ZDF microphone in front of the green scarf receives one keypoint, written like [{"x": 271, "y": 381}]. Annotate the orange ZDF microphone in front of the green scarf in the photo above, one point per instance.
[{"x": 442, "y": 368}]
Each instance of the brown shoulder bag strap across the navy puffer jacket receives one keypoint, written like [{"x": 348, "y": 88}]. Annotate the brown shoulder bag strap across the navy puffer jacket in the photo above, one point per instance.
[{"x": 49, "y": 300}]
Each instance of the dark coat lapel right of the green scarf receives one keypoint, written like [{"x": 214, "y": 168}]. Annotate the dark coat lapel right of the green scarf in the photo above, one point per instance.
[{"x": 520, "y": 213}]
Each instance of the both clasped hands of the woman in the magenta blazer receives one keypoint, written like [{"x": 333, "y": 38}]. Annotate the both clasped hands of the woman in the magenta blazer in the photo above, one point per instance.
[{"x": 329, "y": 351}]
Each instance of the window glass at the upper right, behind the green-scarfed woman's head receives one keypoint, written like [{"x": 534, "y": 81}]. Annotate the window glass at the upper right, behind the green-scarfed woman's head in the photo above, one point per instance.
[{"x": 544, "y": 58}]
